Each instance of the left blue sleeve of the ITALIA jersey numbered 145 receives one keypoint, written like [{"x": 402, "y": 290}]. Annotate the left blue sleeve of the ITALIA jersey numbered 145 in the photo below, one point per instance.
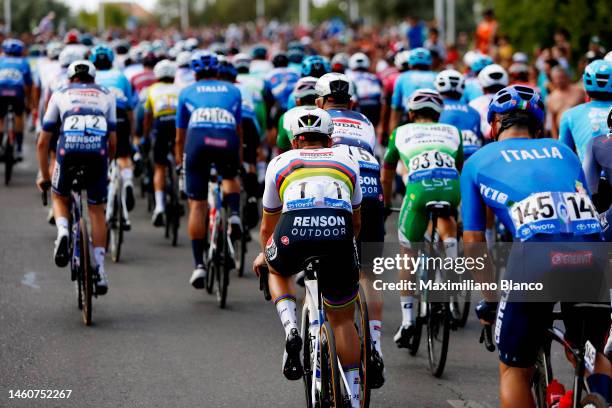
[{"x": 473, "y": 208}]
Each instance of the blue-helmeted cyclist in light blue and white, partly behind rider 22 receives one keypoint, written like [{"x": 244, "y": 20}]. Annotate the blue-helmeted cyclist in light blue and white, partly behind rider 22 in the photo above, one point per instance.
[{"x": 102, "y": 57}]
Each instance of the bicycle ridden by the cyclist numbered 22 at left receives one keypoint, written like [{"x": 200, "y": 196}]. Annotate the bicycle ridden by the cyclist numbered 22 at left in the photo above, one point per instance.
[{"x": 81, "y": 270}]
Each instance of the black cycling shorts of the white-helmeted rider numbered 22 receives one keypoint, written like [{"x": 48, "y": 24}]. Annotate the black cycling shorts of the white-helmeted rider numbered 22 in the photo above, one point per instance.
[{"x": 96, "y": 177}]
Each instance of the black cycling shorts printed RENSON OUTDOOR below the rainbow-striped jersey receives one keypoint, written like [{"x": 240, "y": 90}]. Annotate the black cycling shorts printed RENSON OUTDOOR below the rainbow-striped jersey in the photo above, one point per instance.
[{"x": 292, "y": 243}]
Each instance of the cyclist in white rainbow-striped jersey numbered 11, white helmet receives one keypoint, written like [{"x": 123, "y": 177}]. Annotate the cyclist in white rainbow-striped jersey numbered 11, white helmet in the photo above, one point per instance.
[{"x": 311, "y": 207}]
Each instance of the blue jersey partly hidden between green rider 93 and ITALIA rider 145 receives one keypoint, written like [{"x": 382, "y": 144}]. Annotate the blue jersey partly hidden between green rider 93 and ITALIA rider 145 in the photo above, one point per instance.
[{"x": 467, "y": 120}]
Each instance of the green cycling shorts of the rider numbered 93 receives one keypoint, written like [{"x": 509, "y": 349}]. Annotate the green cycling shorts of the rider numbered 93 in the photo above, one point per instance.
[{"x": 413, "y": 218}]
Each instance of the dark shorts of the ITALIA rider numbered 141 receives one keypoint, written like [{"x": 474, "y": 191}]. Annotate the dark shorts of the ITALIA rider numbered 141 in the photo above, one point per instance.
[{"x": 200, "y": 153}]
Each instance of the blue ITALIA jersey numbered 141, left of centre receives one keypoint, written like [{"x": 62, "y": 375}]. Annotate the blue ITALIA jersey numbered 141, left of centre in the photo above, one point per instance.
[{"x": 209, "y": 108}]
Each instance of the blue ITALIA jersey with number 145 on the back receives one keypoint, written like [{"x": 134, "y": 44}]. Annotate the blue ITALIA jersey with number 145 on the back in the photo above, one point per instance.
[{"x": 536, "y": 187}]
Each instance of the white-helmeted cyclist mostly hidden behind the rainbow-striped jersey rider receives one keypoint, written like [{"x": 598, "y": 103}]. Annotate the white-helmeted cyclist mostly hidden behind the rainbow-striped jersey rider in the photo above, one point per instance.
[{"x": 354, "y": 135}]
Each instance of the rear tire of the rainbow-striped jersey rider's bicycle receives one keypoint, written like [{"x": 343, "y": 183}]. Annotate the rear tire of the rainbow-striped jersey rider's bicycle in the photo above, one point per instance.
[{"x": 331, "y": 387}]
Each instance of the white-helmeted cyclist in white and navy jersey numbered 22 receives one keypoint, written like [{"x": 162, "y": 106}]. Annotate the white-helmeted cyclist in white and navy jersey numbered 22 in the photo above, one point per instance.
[{"x": 81, "y": 110}]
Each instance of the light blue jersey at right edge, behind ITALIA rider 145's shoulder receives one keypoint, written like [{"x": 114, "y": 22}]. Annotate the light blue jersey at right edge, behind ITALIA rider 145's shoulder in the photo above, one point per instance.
[{"x": 582, "y": 123}]
